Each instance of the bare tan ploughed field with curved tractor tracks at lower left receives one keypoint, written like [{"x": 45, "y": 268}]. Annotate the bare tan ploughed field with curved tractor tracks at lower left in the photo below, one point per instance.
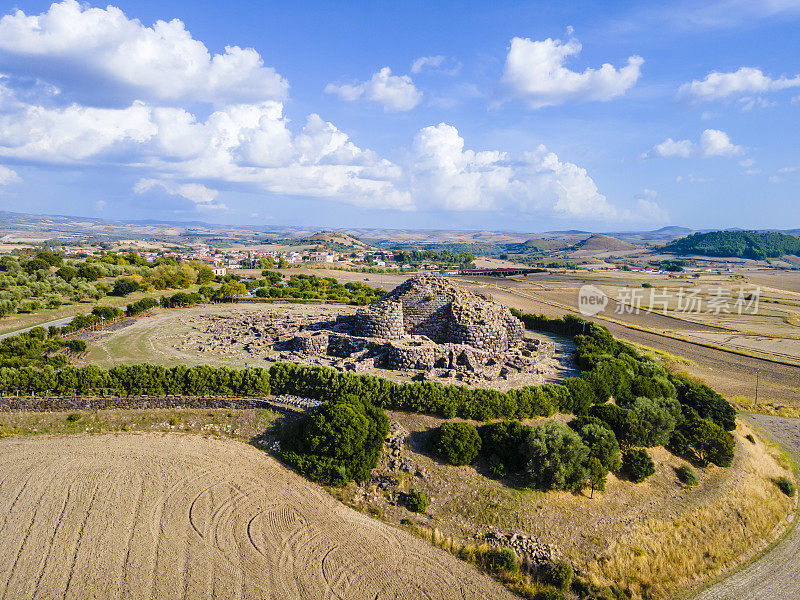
[{"x": 180, "y": 516}]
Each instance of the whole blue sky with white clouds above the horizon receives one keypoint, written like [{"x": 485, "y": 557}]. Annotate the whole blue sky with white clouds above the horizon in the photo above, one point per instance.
[{"x": 507, "y": 115}]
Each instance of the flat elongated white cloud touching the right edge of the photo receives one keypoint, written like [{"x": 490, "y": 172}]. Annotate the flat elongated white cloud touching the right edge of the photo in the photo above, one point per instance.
[{"x": 746, "y": 80}]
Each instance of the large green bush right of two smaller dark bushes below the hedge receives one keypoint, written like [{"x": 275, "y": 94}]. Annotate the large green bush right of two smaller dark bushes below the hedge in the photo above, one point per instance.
[{"x": 557, "y": 457}]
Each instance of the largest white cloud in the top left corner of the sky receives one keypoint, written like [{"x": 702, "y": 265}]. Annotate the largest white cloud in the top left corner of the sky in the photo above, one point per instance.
[{"x": 92, "y": 52}]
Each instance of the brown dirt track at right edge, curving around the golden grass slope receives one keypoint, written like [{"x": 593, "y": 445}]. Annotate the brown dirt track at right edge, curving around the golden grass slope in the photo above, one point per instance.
[{"x": 776, "y": 575}]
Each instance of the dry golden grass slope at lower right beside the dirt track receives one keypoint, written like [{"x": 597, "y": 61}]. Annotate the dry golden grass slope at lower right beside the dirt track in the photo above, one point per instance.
[{"x": 660, "y": 556}]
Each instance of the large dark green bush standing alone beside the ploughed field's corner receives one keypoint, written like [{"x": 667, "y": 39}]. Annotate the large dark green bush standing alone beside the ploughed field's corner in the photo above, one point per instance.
[{"x": 337, "y": 442}]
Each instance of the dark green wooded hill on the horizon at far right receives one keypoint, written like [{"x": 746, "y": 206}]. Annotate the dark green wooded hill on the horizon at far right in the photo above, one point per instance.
[{"x": 736, "y": 244}]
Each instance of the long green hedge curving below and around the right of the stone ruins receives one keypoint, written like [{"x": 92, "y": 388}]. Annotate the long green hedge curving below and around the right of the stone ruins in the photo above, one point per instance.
[{"x": 610, "y": 368}]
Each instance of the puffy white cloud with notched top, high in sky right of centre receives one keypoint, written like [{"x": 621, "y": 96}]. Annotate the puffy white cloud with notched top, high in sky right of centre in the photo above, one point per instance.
[{"x": 535, "y": 71}]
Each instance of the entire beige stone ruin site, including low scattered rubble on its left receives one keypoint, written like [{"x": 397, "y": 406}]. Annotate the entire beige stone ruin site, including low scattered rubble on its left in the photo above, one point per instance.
[{"x": 427, "y": 327}]
